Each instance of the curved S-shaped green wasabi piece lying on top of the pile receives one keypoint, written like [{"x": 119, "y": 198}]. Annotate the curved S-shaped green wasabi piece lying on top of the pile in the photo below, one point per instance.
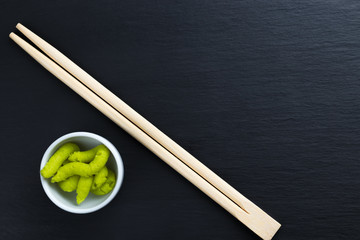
[{"x": 84, "y": 169}]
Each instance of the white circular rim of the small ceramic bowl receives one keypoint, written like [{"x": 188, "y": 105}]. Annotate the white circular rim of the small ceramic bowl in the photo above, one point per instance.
[{"x": 118, "y": 161}]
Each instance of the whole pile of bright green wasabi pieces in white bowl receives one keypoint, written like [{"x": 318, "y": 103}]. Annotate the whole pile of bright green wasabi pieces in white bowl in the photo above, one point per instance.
[{"x": 83, "y": 171}]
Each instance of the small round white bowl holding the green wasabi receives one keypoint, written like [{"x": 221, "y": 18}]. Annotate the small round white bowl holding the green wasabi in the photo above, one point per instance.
[{"x": 67, "y": 201}]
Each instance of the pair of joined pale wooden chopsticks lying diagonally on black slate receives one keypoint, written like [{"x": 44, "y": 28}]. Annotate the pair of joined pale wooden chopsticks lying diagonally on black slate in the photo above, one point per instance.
[{"x": 147, "y": 134}]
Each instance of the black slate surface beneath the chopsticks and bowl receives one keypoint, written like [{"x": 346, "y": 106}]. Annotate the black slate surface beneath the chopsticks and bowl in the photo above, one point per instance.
[{"x": 265, "y": 93}]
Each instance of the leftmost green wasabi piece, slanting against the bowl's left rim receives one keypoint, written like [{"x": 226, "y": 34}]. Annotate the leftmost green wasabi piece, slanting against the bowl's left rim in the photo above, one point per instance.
[{"x": 57, "y": 159}]
